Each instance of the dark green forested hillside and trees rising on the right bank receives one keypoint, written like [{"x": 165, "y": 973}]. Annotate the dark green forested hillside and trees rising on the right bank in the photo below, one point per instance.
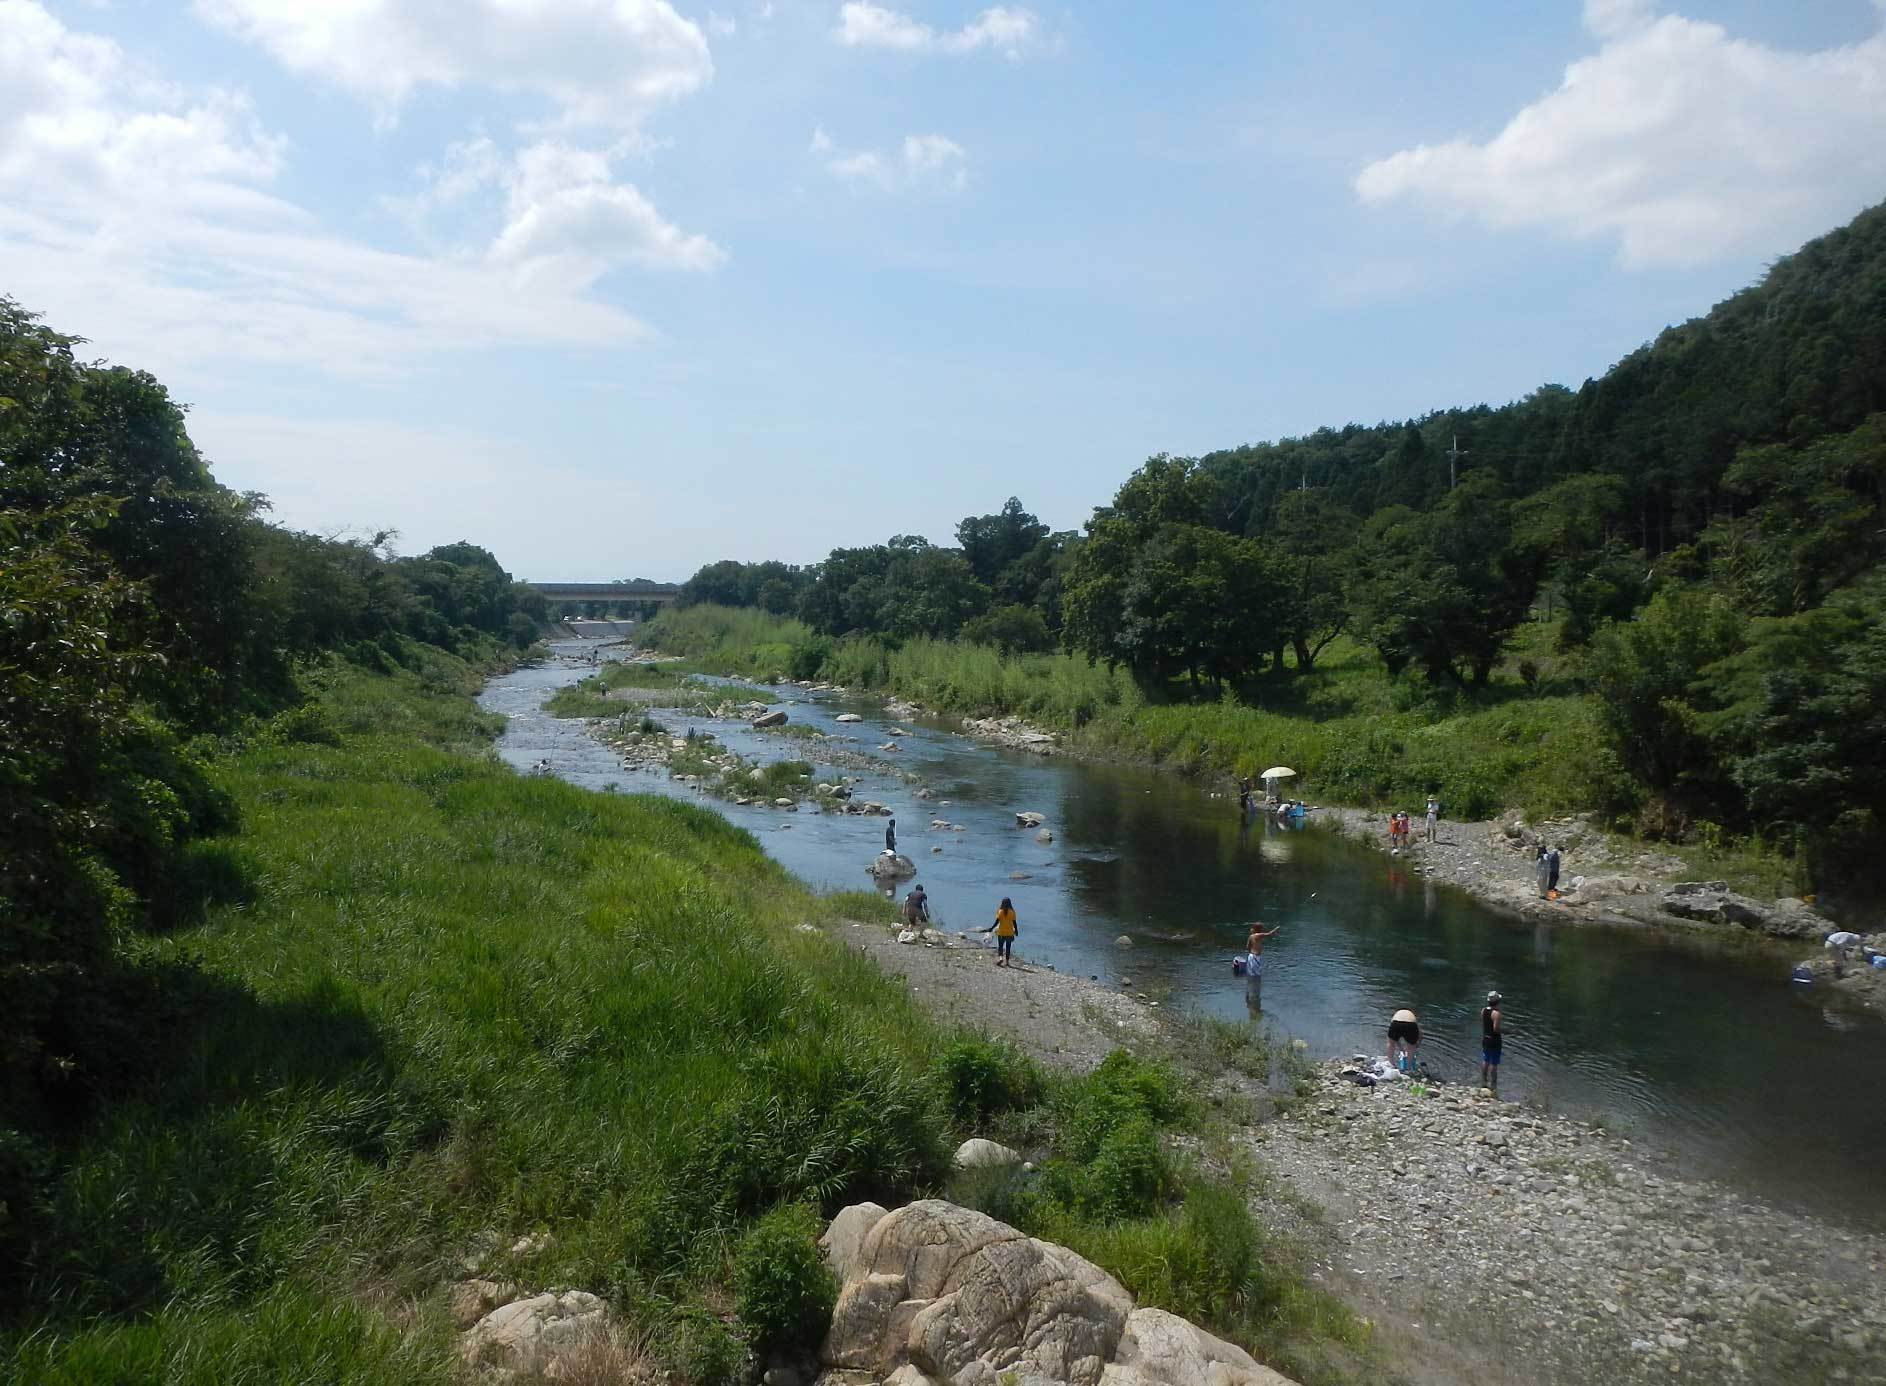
[{"x": 1698, "y": 531}]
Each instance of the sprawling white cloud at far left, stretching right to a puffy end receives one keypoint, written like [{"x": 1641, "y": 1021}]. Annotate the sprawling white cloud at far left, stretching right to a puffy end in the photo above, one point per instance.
[{"x": 141, "y": 214}]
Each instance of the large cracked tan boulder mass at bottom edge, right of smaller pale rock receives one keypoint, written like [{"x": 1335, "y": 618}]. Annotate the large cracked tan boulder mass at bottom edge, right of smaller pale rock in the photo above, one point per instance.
[{"x": 944, "y": 1296}]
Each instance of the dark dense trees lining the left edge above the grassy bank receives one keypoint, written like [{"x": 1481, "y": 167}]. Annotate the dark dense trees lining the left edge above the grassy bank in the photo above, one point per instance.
[{"x": 148, "y": 614}]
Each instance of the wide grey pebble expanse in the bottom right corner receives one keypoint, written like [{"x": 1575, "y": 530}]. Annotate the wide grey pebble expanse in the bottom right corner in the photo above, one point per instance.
[{"x": 1559, "y": 1251}]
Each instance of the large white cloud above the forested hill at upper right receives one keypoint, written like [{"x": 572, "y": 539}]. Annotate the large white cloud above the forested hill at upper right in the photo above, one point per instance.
[{"x": 1676, "y": 139}]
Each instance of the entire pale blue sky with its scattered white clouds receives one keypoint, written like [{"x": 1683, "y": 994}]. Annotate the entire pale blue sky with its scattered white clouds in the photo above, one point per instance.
[{"x": 618, "y": 288}]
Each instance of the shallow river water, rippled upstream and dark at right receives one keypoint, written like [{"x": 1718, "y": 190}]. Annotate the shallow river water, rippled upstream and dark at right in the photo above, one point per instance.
[{"x": 1679, "y": 1042}]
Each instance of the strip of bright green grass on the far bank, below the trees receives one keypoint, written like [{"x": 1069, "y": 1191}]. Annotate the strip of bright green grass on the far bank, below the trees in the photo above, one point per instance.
[{"x": 1351, "y": 733}]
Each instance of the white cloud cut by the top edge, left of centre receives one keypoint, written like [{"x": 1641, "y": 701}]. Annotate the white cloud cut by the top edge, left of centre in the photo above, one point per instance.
[{"x": 597, "y": 61}]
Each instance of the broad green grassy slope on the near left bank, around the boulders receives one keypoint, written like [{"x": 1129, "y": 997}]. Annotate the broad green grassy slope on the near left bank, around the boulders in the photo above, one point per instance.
[{"x": 442, "y": 1006}]
